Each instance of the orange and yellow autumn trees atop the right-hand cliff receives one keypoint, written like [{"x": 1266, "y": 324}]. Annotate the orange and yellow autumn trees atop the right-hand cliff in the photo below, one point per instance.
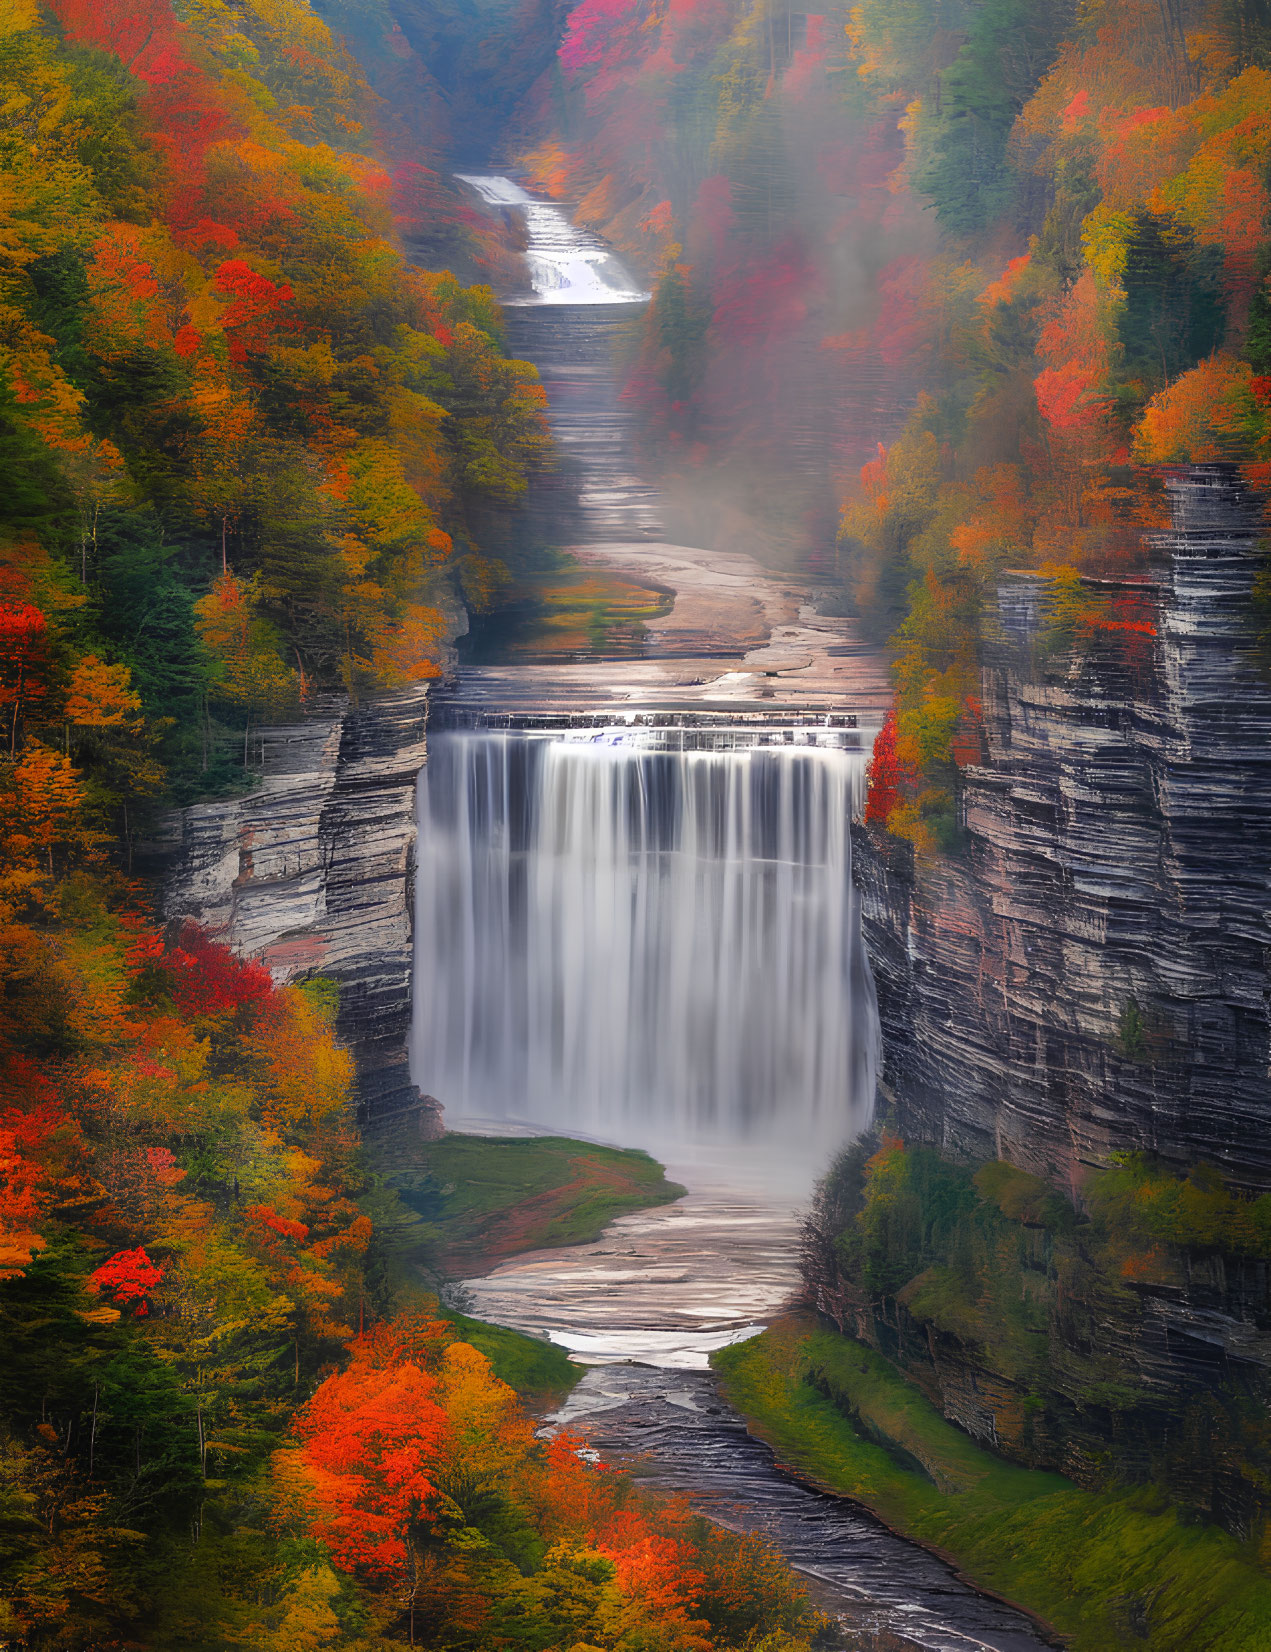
[{"x": 1102, "y": 189}]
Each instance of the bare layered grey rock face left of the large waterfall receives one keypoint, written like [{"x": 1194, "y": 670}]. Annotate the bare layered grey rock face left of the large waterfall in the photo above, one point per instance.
[{"x": 313, "y": 875}]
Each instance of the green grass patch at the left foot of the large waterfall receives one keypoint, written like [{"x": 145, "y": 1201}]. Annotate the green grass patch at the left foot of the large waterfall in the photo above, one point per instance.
[{"x": 487, "y": 1199}]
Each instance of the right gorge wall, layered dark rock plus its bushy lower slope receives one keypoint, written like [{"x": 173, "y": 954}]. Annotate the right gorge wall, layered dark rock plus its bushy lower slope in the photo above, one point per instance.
[{"x": 1087, "y": 977}]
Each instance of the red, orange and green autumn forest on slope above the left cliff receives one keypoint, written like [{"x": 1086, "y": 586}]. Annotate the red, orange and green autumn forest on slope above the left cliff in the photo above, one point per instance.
[{"x": 247, "y": 434}]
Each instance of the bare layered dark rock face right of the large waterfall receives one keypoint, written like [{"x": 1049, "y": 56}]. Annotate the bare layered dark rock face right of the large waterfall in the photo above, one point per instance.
[{"x": 1092, "y": 974}]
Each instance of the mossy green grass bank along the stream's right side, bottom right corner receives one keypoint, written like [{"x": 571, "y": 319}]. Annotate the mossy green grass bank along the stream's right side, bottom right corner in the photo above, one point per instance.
[{"x": 1110, "y": 1570}]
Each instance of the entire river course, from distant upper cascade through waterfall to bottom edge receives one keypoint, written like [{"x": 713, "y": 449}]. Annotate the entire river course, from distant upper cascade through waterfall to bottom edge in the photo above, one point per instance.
[{"x": 635, "y": 921}]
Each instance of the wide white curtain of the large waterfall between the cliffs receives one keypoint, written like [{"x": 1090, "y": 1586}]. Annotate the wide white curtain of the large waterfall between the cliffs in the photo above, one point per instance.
[{"x": 647, "y": 938}]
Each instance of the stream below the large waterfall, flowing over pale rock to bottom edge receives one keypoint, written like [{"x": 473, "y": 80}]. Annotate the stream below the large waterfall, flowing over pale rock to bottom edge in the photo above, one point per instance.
[{"x": 644, "y": 1308}]
